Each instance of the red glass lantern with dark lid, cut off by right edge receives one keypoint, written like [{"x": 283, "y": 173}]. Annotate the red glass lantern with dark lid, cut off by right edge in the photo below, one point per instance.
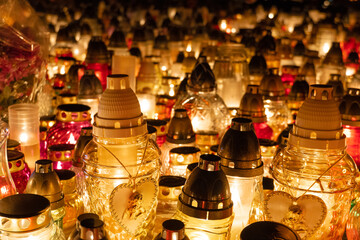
[{"x": 350, "y": 116}]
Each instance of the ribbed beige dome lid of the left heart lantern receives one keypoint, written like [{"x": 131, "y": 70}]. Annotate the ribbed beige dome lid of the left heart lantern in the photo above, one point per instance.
[{"x": 119, "y": 113}]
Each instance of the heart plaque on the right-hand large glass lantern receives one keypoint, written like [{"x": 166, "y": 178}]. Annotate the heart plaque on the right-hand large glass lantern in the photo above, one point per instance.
[{"x": 304, "y": 214}]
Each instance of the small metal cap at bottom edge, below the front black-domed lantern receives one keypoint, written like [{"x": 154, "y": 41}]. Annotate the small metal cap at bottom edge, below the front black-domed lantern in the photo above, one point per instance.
[{"x": 173, "y": 229}]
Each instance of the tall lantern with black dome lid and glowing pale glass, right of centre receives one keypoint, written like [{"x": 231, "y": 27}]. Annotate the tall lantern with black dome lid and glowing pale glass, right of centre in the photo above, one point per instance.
[{"x": 241, "y": 162}]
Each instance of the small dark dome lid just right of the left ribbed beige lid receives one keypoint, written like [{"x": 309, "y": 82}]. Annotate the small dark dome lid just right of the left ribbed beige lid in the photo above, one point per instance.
[{"x": 180, "y": 130}]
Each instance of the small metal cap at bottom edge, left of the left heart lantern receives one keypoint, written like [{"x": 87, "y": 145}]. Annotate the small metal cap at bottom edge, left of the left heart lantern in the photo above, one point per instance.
[{"x": 92, "y": 228}]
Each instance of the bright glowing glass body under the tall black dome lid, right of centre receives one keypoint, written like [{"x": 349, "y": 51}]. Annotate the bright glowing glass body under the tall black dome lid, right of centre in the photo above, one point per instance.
[{"x": 247, "y": 197}]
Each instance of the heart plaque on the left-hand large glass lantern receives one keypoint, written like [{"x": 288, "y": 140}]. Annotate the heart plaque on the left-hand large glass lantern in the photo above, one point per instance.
[{"x": 132, "y": 204}]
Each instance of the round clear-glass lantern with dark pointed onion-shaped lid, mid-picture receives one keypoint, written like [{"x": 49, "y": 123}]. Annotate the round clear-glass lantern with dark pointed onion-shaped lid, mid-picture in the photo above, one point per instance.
[{"x": 207, "y": 111}]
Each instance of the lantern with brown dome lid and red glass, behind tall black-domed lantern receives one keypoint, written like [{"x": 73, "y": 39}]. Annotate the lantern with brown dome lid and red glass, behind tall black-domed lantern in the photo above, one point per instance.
[{"x": 252, "y": 107}]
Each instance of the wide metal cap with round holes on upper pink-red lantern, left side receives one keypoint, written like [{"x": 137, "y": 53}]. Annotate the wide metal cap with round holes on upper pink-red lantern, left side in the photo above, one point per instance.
[{"x": 73, "y": 113}]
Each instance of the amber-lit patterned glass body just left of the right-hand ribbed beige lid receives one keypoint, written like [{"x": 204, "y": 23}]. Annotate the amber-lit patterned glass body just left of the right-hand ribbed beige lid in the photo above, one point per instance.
[{"x": 278, "y": 116}]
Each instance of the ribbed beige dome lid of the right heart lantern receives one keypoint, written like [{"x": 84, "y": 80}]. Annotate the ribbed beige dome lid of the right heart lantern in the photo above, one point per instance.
[{"x": 318, "y": 123}]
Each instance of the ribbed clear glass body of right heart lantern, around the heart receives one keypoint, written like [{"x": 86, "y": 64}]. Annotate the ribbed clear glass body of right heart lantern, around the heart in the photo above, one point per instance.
[{"x": 296, "y": 169}]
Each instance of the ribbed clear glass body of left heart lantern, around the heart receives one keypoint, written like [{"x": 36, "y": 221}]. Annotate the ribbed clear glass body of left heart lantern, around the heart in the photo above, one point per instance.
[{"x": 103, "y": 173}]
